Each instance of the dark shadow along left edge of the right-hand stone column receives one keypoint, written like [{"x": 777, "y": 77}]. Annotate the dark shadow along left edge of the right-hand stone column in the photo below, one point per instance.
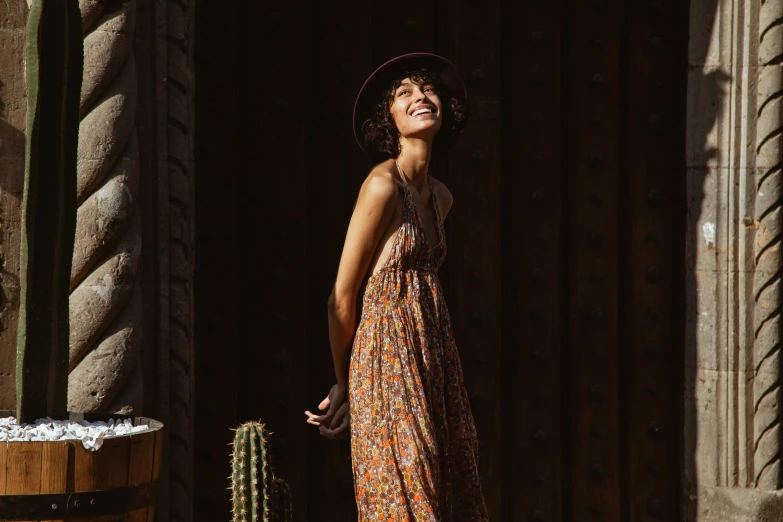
[{"x": 705, "y": 112}]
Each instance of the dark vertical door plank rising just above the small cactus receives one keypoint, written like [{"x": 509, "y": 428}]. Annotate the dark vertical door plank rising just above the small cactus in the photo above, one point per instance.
[{"x": 275, "y": 112}]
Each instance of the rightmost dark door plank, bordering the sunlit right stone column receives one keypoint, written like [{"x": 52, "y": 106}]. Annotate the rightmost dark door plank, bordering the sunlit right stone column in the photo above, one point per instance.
[{"x": 655, "y": 177}]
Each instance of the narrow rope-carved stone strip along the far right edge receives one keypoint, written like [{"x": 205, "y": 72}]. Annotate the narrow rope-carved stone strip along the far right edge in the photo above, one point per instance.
[{"x": 767, "y": 250}]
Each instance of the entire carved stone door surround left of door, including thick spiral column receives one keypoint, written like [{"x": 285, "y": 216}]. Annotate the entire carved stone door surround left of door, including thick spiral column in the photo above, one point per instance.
[{"x": 107, "y": 309}]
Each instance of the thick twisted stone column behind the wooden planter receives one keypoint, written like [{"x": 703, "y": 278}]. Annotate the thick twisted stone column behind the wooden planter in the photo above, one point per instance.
[{"x": 105, "y": 300}]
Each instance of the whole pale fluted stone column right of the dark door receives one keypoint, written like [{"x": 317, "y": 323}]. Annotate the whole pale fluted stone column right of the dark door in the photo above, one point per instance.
[{"x": 732, "y": 366}]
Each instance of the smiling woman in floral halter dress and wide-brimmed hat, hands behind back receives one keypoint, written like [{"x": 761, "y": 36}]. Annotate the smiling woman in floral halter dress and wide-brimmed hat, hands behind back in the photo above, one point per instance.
[{"x": 414, "y": 450}]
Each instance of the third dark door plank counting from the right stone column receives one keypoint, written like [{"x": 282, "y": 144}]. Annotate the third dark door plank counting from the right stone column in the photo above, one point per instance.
[{"x": 532, "y": 262}]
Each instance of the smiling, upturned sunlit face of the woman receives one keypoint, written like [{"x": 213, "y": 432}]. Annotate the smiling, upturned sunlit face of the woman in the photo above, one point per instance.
[{"x": 416, "y": 110}]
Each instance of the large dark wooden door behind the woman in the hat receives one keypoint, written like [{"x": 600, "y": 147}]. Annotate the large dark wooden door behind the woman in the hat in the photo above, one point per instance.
[{"x": 565, "y": 259}]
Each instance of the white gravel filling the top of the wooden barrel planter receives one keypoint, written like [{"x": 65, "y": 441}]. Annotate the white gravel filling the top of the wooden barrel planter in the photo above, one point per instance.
[{"x": 92, "y": 434}]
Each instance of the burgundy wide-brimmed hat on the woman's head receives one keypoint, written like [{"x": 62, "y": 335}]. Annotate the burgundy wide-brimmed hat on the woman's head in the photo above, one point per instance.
[{"x": 370, "y": 92}]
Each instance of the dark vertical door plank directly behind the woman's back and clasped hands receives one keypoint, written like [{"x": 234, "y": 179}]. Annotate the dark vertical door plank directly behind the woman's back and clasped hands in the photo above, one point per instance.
[{"x": 336, "y": 170}]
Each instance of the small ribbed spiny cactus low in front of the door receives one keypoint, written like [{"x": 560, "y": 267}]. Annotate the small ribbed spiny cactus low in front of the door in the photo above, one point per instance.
[{"x": 257, "y": 495}]
